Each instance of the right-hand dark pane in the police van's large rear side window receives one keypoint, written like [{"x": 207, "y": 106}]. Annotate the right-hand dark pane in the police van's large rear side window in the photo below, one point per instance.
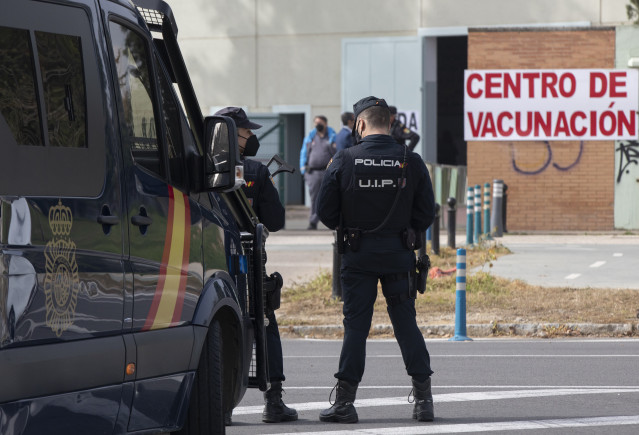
[{"x": 60, "y": 58}]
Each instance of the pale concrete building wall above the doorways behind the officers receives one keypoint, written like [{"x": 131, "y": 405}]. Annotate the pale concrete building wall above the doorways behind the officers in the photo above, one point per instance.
[{"x": 261, "y": 53}]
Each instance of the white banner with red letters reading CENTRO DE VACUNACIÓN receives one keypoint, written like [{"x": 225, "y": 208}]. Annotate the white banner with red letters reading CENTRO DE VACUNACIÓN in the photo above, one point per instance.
[{"x": 565, "y": 104}]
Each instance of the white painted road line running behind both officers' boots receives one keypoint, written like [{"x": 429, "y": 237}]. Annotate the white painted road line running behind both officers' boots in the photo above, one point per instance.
[{"x": 449, "y": 397}]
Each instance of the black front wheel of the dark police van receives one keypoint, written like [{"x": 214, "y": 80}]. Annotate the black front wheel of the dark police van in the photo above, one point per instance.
[{"x": 206, "y": 408}]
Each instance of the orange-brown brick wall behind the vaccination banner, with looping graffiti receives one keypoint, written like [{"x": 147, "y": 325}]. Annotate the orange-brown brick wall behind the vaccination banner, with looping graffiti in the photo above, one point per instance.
[{"x": 576, "y": 189}]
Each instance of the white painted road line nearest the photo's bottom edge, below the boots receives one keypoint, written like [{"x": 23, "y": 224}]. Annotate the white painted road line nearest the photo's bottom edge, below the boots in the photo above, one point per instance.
[{"x": 559, "y": 423}]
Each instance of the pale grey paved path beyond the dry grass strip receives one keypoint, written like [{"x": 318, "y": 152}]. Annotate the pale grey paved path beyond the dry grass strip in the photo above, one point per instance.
[{"x": 578, "y": 261}]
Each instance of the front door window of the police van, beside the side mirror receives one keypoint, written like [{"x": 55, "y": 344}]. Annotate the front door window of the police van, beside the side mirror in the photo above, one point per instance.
[{"x": 139, "y": 130}]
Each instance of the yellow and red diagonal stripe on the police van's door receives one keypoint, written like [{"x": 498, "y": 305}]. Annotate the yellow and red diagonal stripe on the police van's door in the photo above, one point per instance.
[{"x": 166, "y": 308}]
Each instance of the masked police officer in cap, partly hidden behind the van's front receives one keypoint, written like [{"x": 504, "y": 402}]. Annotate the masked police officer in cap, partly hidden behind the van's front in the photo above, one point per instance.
[{"x": 263, "y": 196}]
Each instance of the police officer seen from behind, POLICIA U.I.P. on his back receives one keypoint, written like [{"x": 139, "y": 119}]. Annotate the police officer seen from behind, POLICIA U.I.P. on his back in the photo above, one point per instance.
[{"x": 381, "y": 193}]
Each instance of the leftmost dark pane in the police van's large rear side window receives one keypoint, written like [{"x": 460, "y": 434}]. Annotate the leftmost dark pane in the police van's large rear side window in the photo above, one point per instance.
[{"x": 18, "y": 101}]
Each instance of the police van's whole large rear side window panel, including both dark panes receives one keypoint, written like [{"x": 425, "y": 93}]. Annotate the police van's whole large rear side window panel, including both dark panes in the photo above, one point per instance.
[{"x": 52, "y": 142}]
